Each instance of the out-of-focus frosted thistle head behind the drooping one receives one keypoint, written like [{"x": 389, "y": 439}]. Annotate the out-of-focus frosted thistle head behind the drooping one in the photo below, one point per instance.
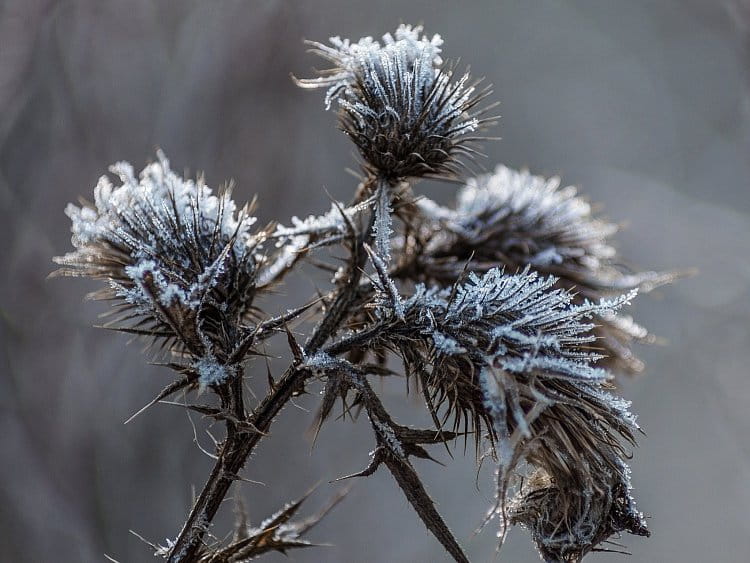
[{"x": 514, "y": 218}]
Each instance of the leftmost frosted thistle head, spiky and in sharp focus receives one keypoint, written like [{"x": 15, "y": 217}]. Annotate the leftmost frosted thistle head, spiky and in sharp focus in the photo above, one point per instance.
[{"x": 179, "y": 261}]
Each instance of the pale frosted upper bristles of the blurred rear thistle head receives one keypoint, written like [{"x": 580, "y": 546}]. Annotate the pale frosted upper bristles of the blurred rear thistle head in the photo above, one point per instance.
[{"x": 516, "y": 218}]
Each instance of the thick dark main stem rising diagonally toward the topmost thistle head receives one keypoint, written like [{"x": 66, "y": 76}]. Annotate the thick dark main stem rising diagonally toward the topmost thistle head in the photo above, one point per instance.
[{"x": 240, "y": 442}]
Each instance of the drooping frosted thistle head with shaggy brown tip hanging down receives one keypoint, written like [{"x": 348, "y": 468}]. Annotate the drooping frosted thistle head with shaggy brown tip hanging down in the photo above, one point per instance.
[{"x": 513, "y": 356}]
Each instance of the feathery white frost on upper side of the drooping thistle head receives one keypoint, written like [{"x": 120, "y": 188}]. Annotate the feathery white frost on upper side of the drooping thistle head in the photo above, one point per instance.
[{"x": 529, "y": 326}]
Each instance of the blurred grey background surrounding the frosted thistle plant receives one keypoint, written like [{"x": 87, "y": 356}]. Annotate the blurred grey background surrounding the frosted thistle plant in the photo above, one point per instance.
[{"x": 644, "y": 104}]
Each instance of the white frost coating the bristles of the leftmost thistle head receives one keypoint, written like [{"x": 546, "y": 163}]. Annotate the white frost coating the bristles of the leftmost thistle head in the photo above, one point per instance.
[{"x": 165, "y": 223}]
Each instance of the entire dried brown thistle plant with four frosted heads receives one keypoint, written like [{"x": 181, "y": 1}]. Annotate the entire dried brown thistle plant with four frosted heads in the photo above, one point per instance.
[{"x": 502, "y": 309}]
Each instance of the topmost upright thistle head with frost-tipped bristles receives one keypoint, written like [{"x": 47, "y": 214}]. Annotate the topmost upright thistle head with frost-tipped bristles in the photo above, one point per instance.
[{"x": 406, "y": 112}]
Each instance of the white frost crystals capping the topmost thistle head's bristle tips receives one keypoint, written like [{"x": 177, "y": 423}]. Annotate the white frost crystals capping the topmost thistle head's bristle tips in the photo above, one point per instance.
[{"x": 349, "y": 58}]
